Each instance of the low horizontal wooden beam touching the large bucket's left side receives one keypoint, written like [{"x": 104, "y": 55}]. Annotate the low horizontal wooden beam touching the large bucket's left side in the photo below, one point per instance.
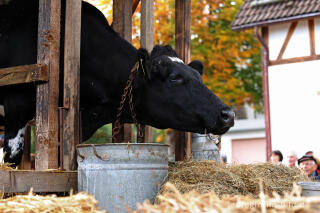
[{"x": 41, "y": 181}]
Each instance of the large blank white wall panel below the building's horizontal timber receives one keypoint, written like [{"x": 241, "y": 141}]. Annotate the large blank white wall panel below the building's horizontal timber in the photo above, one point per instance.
[{"x": 294, "y": 91}]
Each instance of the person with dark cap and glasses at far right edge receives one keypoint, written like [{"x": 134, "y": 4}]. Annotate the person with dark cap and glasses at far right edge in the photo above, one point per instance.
[{"x": 308, "y": 166}]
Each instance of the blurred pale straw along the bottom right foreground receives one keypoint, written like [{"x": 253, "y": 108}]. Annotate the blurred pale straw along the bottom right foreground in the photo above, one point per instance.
[{"x": 173, "y": 201}]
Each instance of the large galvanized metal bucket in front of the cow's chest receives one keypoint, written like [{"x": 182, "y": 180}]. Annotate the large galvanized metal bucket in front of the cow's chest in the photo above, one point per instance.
[{"x": 122, "y": 175}]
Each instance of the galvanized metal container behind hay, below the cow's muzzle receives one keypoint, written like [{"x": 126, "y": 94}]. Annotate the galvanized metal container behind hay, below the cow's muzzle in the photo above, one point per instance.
[{"x": 203, "y": 148}]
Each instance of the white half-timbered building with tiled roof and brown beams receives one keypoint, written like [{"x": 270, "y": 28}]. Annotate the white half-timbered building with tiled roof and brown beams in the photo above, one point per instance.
[{"x": 289, "y": 32}]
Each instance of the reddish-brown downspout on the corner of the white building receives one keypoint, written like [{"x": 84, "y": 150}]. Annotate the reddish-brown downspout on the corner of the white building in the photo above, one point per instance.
[{"x": 265, "y": 86}]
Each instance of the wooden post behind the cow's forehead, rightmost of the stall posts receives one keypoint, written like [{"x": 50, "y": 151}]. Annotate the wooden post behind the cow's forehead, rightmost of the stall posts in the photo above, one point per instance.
[{"x": 183, "y": 12}]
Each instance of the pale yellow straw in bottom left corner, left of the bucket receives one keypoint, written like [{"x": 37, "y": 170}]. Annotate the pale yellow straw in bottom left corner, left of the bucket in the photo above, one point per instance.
[{"x": 30, "y": 203}]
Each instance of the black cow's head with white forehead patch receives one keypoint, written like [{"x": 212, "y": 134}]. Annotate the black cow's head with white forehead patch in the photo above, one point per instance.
[{"x": 170, "y": 94}]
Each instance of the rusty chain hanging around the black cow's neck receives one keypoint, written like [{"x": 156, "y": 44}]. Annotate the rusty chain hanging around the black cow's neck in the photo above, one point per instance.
[{"x": 128, "y": 93}]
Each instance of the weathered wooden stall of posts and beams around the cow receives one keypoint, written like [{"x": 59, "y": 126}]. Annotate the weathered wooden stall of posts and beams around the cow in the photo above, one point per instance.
[{"x": 48, "y": 176}]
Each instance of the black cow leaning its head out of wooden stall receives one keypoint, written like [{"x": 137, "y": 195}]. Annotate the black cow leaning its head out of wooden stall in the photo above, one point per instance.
[{"x": 167, "y": 93}]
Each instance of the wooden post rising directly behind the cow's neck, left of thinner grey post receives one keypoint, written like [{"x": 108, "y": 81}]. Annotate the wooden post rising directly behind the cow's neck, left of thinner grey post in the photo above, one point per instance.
[{"x": 122, "y": 23}]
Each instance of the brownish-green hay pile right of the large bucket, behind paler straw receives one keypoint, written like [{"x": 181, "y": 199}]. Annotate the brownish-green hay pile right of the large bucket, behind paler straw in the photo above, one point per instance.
[{"x": 207, "y": 176}]
